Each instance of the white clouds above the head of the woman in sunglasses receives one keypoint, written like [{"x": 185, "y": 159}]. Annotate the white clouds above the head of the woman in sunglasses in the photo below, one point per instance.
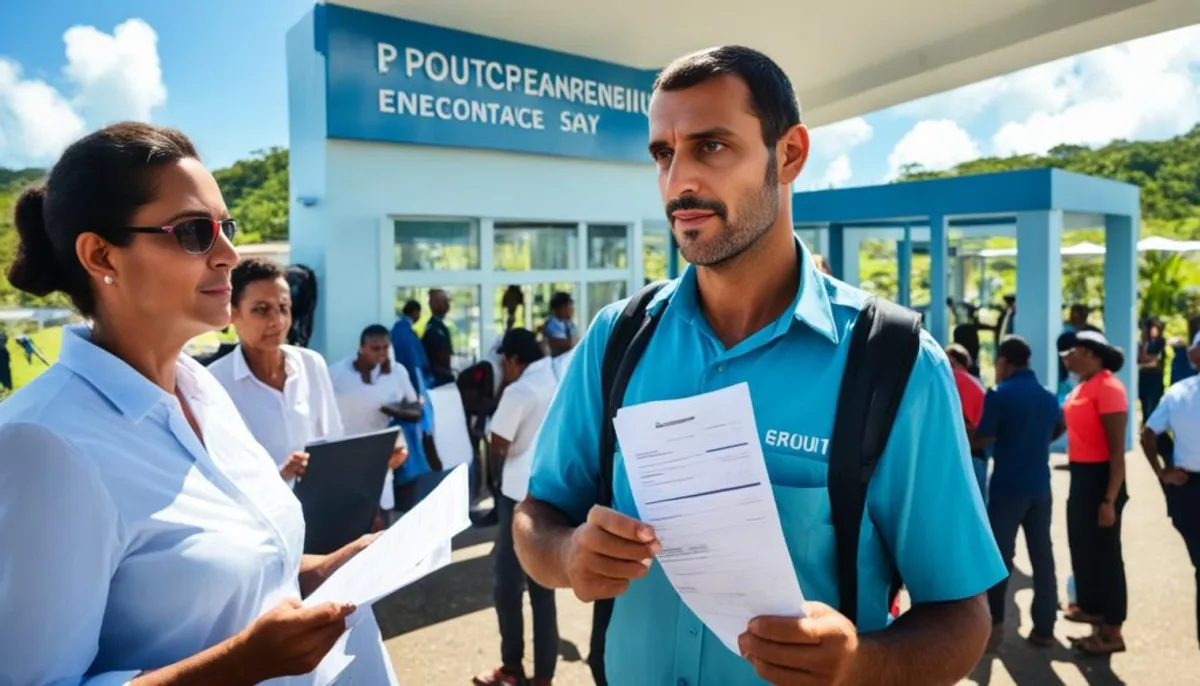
[{"x": 112, "y": 77}]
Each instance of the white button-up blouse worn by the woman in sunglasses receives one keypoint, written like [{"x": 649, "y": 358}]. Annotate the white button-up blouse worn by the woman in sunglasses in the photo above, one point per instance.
[{"x": 128, "y": 544}]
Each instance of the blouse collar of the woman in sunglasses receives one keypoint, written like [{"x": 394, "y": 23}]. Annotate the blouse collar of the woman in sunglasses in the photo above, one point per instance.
[{"x": 128, "y": 390}]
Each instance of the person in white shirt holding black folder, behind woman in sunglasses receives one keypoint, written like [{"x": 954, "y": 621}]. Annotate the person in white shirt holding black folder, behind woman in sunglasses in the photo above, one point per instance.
[{"x": 284, "y": 393}]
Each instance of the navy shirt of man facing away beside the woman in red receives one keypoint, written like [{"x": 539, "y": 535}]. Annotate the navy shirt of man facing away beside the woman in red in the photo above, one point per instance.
[{"x": 1022, "y": 417}]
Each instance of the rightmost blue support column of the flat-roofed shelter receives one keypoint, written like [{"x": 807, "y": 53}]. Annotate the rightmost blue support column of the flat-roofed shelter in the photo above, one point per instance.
[{"x": 1121, "y": 303}]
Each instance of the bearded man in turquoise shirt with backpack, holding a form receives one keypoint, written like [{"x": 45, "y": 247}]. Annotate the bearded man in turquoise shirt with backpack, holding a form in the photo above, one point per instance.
[{"x": 752, "y": 308}]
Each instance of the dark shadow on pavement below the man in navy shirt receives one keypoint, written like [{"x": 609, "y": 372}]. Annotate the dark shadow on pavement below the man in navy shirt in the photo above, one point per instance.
[{"x": 1030, "y": 665}]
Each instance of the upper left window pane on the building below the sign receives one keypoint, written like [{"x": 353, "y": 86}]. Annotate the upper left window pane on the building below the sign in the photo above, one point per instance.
[{"x": 437, "y": 245}]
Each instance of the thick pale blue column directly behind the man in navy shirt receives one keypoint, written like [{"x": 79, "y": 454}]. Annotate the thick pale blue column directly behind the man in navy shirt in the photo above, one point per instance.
[{"x": 1040, "y": 291}]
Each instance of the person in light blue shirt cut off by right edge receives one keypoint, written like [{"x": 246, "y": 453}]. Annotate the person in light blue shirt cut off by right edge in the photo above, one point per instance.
[{"x": 1179, "y": 413}]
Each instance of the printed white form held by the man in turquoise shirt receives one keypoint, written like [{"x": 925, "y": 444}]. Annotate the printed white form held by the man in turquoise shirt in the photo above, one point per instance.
[{"x": 699, "y": 477}]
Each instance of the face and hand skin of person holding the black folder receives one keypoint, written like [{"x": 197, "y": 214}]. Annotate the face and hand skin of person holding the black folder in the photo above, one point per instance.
[{"x": 262, "y": 320}]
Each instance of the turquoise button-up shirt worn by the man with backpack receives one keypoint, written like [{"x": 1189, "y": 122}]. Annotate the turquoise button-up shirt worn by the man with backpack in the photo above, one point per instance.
[{"x": 923, "y": 503}]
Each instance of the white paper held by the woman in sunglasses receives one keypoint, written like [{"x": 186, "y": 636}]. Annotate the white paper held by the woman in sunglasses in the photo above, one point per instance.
[{"x": 413, "y": 547}]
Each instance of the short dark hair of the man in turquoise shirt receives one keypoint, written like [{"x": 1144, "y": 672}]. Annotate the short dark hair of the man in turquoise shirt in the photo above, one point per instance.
[{"x": 771, "y": 92}]
